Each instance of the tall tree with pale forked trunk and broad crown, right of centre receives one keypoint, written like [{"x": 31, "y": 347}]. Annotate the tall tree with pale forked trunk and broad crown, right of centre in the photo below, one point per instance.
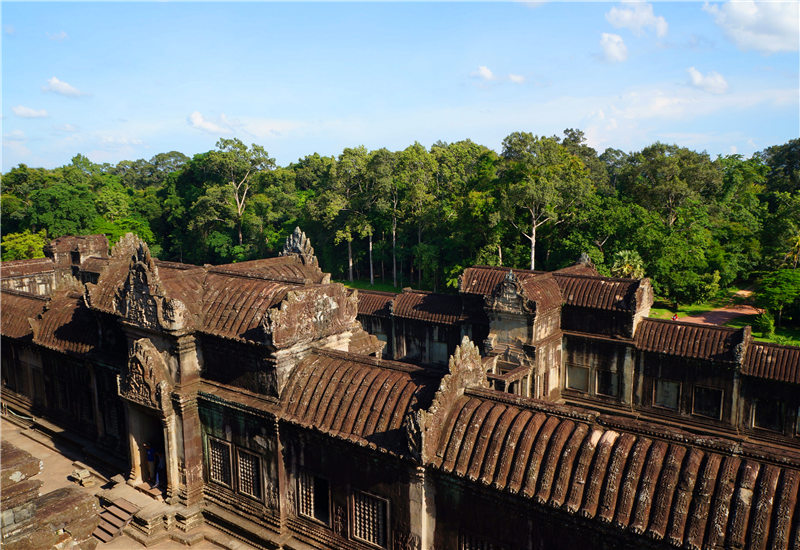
[{"x": 543, "y": 183}]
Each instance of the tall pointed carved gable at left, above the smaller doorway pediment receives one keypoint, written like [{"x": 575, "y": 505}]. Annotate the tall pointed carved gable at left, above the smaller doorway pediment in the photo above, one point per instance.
[{"x": 142, "y": 299}]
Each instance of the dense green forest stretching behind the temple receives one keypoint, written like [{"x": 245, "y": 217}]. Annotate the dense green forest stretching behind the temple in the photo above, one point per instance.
[{"x": 419, "y": 216}]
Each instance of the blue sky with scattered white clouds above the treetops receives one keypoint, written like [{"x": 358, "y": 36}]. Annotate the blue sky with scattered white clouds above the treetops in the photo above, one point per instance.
[{"x": 118, "y": 81}]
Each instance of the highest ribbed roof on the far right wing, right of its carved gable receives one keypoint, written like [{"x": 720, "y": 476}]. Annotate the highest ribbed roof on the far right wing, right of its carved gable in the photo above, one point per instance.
[{"x": 598, "y": 292}]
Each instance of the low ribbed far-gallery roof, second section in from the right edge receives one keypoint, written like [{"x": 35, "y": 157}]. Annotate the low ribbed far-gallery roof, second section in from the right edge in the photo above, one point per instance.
[{"x": 689, "y": 339}]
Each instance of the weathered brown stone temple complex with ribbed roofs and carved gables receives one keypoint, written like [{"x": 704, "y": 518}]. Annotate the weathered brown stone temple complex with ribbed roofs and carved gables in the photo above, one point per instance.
[{"x": 532, "y": 410}]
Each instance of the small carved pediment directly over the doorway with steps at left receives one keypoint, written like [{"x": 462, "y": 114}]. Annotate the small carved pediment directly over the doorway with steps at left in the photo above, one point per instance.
[{"x": 146, "y": 380}]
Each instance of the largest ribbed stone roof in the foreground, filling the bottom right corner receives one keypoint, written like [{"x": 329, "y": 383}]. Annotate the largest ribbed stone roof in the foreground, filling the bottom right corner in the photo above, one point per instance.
[{"x": 672, "y": 489}]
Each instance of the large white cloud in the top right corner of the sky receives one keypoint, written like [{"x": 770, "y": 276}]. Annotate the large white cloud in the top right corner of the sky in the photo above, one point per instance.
[{"x": 767, "y": 27}]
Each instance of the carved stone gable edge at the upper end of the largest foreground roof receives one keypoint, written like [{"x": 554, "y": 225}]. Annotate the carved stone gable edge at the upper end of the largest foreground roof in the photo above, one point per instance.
[{"x": 465, "y": 370}]
